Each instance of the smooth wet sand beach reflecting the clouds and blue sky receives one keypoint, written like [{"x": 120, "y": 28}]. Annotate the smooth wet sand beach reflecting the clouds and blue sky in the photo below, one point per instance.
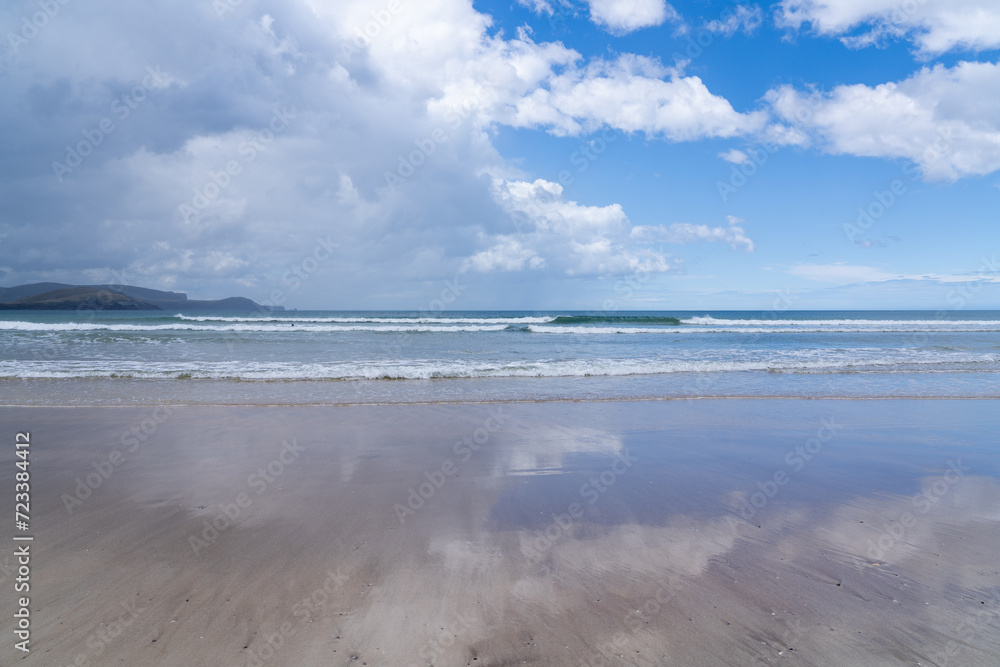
[{"x": 723, "y": 532}]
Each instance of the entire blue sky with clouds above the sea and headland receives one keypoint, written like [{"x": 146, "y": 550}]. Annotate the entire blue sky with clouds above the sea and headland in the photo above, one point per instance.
[{"x": 528, "y": 154}]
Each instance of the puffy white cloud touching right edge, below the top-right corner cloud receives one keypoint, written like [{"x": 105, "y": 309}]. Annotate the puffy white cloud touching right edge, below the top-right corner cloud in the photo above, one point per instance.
[{"x": 945, "y": 120}]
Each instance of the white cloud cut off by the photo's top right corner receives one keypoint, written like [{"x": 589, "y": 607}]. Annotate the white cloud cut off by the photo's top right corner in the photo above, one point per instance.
[{"x": 935, "y": 26}]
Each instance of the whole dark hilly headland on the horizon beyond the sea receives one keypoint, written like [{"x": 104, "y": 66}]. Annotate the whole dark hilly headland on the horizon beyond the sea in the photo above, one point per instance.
[{"x": 59, "y": 296}]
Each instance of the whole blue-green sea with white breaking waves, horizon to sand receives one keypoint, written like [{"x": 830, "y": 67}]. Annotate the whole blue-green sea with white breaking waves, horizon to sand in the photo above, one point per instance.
[{"x": 351, "y": 357}]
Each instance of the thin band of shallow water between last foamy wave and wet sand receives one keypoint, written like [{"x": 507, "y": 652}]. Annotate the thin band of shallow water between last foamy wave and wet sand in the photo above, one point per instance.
[{"x": 754, "y": 385}]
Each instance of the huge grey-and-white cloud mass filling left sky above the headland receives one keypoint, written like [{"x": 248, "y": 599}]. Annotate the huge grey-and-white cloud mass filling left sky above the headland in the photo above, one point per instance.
[{"x": 385, "y": 153}]
